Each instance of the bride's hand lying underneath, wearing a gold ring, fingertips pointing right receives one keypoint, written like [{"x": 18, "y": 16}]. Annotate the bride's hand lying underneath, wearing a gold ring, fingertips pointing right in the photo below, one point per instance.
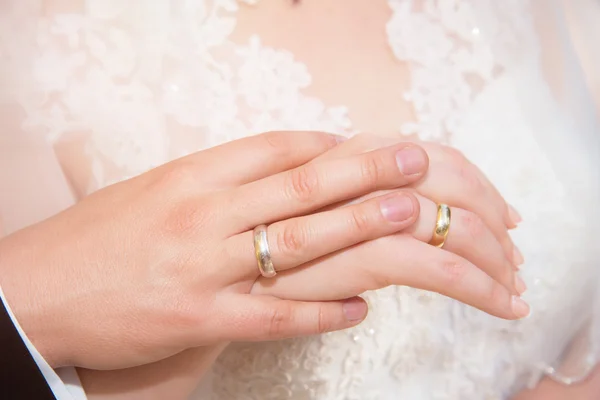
[{"x": 477, "y": 265}]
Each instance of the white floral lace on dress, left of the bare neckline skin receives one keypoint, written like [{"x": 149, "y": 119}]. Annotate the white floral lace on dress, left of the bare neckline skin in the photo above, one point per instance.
[{"x": 130, "y": 68}]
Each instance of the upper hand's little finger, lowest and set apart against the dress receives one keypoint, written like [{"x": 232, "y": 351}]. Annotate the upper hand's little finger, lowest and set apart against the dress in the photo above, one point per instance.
[{"x": 262, "y": 318}]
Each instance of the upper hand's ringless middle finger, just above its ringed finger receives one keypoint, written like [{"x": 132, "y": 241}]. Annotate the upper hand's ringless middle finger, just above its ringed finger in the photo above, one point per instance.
[{"x": 312, "y": 186}]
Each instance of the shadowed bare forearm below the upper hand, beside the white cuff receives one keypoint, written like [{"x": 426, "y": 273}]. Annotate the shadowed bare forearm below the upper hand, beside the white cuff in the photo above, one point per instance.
[{"x": 173, "y": 378}]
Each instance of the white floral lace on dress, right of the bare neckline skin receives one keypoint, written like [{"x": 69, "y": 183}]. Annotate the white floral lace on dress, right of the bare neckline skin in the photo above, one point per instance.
[{"x": 458, "y": 49}]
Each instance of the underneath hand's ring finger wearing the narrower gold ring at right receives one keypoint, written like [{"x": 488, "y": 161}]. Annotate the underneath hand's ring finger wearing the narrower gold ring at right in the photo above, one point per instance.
[{"x": 470, "y": 238}]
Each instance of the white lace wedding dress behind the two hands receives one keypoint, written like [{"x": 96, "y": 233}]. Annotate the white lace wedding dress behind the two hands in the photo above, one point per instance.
[{"x": 118, "y": 87}]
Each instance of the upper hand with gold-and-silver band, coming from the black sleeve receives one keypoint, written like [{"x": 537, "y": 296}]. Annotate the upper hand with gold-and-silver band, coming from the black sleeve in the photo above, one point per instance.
[{"x": 148, "y": 267}]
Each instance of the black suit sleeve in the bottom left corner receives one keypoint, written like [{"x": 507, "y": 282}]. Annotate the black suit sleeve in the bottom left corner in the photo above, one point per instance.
[{"x": 20, "y": 377}]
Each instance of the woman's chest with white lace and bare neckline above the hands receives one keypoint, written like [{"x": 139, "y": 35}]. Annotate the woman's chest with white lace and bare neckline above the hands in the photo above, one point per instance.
[{"x": 126, "y": 86}]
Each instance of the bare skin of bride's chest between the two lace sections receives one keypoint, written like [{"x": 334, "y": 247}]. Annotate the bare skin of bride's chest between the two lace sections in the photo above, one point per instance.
[{"x": 346, "y": 49}]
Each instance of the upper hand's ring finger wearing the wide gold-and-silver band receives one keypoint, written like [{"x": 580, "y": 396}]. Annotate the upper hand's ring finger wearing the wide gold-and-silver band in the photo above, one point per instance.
[{"x": 298, "y": 240}]
